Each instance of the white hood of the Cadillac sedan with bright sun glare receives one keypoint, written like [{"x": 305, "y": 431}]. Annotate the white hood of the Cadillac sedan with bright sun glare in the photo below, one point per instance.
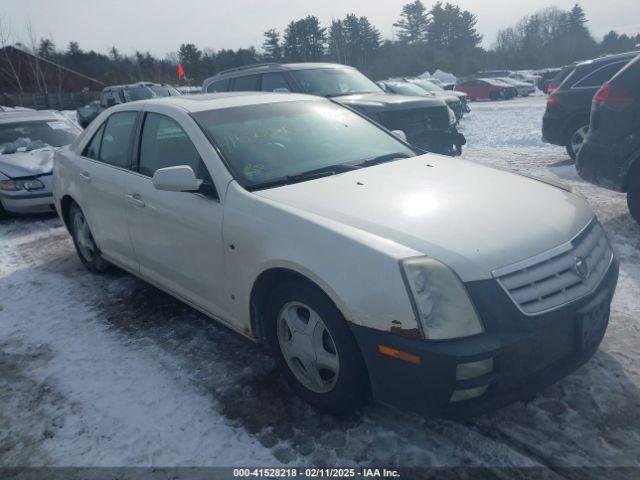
[{"x": 474, "y": 218}]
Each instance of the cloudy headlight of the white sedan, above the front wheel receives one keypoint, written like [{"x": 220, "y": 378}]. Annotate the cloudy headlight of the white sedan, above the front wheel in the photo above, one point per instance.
[{"x": 442, "y": 304}]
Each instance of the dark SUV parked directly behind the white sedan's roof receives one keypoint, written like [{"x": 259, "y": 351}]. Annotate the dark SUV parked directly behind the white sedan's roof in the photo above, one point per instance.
[{"x": 426, "y": 121}]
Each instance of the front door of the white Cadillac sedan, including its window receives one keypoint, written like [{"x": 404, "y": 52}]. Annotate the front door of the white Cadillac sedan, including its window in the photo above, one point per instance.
[{"x": 177, "y": 236}]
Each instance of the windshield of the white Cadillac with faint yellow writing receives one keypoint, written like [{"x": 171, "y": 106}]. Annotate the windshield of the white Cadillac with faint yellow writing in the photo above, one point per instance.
[{"x": 265, "y": 144}]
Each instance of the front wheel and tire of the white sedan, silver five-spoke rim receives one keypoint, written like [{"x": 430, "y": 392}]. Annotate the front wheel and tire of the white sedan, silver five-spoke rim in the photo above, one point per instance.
[{"x": 340, "y": 383}]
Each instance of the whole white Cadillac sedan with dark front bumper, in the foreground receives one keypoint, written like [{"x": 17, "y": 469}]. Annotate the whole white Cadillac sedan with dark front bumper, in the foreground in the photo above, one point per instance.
[{"x": 436, "y": 284}]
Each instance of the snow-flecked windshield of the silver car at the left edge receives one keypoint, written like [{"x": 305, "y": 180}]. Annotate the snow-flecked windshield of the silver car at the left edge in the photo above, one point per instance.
[{"x": 36, "y": 134}]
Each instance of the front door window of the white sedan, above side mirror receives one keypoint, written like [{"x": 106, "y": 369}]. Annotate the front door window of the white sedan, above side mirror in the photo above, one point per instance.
[{"x": 165, "y": 144}]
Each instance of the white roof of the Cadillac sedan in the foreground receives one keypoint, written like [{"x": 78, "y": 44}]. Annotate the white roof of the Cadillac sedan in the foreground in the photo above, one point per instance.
[{"x": 216, "y": 101}]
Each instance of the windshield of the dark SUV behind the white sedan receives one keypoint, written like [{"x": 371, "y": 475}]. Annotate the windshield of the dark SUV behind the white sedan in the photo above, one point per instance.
[{"x": 333, "y": 82}]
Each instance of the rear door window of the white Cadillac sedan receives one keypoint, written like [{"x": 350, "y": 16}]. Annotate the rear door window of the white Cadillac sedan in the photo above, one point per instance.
[{"x": 116, "y": 139}]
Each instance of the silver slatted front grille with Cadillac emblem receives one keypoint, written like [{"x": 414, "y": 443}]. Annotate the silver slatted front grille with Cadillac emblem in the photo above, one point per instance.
[{"x": 559, "y": 276}]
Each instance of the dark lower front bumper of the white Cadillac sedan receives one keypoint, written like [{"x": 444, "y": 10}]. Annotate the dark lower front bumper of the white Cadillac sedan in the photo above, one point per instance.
[{"x": 528, "y": 352}]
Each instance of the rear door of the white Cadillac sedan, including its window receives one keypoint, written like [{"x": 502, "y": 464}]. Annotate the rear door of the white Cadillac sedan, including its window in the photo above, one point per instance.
[{"x": 102, "y": 177}]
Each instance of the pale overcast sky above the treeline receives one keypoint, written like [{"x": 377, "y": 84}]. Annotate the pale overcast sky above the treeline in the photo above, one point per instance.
[{"x": 160, "y": 26}]
